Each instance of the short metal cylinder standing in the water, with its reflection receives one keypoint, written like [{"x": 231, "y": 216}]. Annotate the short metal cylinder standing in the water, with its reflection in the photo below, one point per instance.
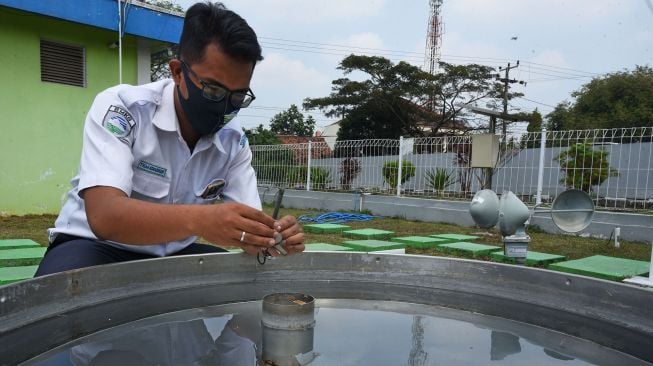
[{"x": 288, "y": 321}]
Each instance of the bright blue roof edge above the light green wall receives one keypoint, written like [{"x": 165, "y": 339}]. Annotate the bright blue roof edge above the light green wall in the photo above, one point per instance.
[{"x": 142, "y": 20}]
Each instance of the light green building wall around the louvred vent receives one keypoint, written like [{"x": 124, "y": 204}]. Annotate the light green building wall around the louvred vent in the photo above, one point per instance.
[{"x": 41, "y": 123}]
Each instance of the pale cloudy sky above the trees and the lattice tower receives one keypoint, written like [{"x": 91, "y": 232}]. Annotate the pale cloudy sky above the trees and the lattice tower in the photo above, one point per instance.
[{"x": 560, "y": 44}]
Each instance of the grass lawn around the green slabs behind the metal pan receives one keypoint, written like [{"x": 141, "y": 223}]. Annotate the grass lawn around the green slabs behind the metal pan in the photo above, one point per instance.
[{"x": 574, "y": 247}]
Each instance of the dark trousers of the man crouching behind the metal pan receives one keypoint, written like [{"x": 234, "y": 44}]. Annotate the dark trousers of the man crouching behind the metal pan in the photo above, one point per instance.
[{"x": 70, "y": 252}]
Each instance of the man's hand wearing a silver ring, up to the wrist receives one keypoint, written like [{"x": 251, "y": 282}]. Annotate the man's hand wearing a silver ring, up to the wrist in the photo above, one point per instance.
[{"x": 225, "y": 223}]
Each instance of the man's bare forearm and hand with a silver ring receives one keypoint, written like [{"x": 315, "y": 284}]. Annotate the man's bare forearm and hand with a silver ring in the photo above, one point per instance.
[{"x": 114, "y": 216}]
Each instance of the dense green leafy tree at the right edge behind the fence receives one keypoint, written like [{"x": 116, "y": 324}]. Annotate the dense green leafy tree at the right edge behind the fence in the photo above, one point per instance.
[{"x": 620, "y": 99}]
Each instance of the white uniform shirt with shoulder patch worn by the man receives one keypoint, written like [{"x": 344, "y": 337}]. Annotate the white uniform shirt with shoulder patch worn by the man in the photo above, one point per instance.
[{"x": 132, "y": 142}]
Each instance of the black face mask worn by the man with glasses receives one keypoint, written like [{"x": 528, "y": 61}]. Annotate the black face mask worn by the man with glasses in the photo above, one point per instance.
[{"x": 205, "y": 116}]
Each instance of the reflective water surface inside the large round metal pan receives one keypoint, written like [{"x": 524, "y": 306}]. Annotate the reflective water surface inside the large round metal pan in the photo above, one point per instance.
[{"x": 347, "y": 332}]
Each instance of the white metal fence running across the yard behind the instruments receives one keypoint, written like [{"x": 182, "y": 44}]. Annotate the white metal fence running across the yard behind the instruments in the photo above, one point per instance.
[{"x": 612, "y": 165}]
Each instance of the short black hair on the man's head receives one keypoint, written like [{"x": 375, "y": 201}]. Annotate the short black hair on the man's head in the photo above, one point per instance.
[{"x": 207, "y": 23}]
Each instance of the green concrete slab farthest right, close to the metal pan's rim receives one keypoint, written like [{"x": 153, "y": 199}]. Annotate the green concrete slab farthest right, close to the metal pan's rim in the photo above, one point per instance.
[{"x": 600, "y": 266}]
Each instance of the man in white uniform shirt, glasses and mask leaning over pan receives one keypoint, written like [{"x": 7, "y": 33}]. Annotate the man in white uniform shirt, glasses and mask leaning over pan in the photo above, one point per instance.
[{"x": 156, "y": 157}]
